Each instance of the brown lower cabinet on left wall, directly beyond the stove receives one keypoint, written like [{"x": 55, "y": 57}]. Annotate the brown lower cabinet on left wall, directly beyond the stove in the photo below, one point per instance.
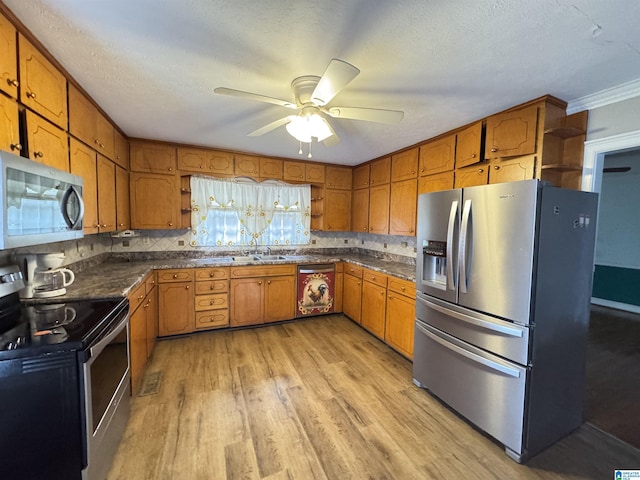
[{"x": 143, "y": 328}]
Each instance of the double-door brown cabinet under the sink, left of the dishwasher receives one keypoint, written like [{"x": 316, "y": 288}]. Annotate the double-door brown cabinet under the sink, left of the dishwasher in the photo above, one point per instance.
[{"x": 262, "y": 294}]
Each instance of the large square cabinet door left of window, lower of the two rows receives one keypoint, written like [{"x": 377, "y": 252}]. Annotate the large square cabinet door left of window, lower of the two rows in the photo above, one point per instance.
[{"x": 155, "y": 201}]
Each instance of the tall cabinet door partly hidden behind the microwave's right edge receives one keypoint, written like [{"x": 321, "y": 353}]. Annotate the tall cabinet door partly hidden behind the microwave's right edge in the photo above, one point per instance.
[{"x": 83, "y": 163}]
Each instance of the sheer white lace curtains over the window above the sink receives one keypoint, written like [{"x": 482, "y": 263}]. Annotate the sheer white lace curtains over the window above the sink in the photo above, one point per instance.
[{"x": 230, "y": 213}]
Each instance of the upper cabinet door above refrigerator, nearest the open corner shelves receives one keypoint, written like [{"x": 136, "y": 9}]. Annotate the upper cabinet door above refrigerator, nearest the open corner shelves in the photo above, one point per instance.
[{"x": 512, "y": 133}]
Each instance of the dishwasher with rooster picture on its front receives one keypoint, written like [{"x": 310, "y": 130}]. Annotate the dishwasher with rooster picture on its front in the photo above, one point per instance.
[{"x": 316, "y": 287}]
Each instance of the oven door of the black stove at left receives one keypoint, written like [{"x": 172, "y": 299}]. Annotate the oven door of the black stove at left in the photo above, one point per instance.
[{"x": 106, "y": 375}]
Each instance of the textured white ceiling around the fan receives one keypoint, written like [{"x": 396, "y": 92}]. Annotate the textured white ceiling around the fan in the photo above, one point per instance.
[{"x": 152, "y": 65}]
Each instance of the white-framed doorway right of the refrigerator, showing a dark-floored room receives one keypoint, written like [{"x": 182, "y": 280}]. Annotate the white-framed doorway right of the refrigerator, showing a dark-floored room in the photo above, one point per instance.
[{"x": 612, "y": 167}]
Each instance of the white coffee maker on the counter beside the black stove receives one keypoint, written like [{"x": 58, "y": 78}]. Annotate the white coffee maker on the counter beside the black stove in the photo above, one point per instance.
[{"x": 42, "y": 276}]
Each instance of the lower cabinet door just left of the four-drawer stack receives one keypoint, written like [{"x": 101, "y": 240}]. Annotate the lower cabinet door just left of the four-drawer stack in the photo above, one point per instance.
[{"x": 175, "y": 308}]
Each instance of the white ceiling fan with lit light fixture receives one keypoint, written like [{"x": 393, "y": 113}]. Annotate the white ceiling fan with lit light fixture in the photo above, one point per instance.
[{"x": 312, "y": 95}]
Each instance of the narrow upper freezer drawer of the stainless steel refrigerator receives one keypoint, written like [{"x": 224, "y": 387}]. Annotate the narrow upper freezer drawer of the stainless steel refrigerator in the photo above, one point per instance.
[{"x": 503, "y": 338}]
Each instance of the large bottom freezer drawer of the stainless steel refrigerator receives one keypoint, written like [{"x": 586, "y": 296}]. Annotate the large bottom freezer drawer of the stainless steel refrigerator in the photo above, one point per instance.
[{"x": 487, "y": 390}]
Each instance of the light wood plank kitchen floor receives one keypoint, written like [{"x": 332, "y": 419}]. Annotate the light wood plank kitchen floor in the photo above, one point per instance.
[{"x": 314, "y": 399}]
